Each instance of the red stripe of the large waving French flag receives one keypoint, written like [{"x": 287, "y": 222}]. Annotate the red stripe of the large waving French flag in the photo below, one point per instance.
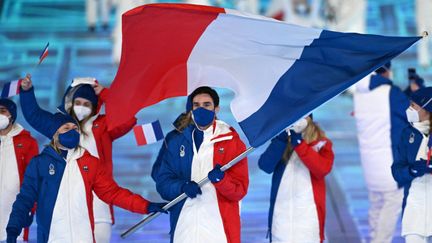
[{"x": 168, "y": 30}]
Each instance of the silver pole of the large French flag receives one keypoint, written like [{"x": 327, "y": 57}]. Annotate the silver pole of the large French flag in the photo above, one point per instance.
[{"x": 178, "y": 199}]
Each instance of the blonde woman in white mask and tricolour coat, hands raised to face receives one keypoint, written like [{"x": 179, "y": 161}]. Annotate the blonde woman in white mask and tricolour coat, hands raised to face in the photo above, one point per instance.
[{"x": 299, "y": 160}]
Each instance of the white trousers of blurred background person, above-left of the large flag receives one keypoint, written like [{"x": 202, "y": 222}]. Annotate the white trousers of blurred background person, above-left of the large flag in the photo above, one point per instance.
[{"x": 96, "y": 7}]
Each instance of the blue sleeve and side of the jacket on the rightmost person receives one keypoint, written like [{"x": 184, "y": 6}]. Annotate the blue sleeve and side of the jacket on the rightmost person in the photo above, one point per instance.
[{"x": 405, "y": 157}]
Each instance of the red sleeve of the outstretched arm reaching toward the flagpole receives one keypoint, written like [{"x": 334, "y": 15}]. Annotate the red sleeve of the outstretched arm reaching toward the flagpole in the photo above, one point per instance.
[{"x": 108, "y": 191}]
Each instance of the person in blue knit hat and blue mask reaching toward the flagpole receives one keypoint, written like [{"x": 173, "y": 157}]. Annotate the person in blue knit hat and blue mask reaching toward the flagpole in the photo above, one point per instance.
[{"x": 61, "y": 180}]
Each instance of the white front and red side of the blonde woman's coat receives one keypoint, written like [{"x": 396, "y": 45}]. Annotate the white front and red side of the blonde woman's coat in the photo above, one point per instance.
[{"x": 299, "y": 210}]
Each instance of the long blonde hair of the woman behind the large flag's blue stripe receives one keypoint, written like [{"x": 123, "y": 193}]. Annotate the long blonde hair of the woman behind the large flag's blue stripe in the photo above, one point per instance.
[{"x": 311, "y": 133}]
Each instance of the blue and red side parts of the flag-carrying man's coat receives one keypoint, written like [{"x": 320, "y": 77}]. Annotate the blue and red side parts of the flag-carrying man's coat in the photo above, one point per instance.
[{"x": 173, "y": 168}]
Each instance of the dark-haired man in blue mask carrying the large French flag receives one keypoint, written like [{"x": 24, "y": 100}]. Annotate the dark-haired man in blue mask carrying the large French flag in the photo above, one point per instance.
[{"x": 198, "y": 148}]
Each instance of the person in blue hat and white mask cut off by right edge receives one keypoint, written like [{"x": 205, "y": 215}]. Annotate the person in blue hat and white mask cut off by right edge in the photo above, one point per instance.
[{"x": 412, "y": 169}]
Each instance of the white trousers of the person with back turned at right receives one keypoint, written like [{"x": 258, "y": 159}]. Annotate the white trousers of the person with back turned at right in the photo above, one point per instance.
[{"x": 384, "y": 213}]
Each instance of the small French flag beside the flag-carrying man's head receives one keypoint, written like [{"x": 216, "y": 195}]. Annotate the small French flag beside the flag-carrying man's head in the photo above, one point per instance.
[{"x": 148, "y": 133}]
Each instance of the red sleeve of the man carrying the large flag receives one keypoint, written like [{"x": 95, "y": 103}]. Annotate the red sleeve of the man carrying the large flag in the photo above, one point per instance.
[{"x": 235, "y": 183}]
